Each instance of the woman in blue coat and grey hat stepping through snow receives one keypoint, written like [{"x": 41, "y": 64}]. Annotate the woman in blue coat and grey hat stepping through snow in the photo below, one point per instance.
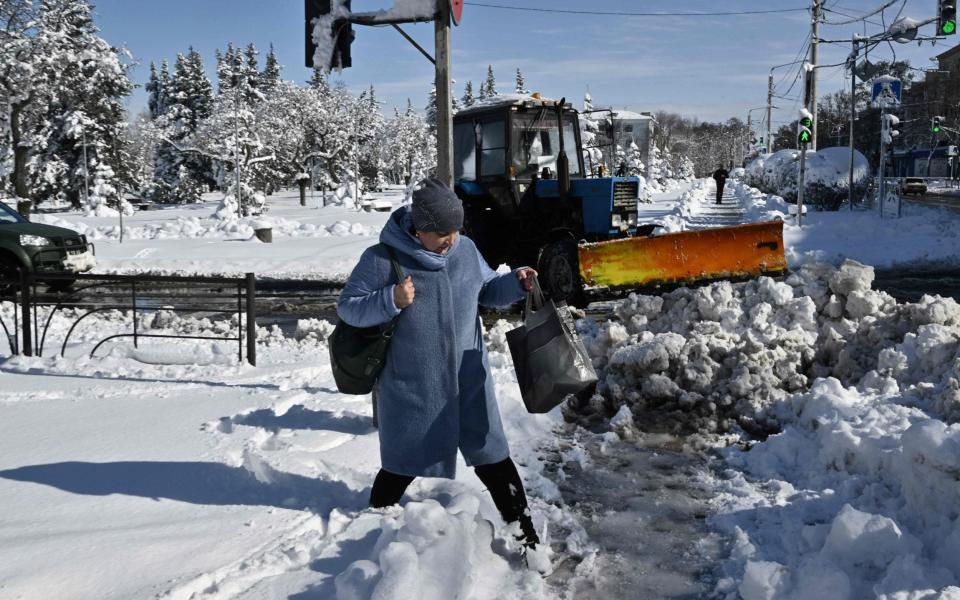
[{"x": 436, "y": 395}]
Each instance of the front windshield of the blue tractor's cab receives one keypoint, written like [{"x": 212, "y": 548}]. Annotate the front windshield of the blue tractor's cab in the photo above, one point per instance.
[{"x": 536, "y": 144}]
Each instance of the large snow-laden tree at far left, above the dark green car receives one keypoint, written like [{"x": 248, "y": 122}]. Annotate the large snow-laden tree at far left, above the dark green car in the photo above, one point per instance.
[{"x": 69, "y": 116}]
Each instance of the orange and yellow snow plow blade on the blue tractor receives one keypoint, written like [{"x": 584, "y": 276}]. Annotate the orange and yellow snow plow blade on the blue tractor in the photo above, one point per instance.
[{"x": 735, "y": 252}]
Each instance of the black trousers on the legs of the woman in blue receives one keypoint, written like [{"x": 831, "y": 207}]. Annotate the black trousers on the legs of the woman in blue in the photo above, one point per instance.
[{"x": 502, "y": 480}]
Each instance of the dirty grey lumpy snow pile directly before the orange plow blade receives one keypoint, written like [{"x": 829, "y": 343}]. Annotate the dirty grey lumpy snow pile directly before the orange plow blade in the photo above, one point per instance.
[{"x": 725, "y": 355}]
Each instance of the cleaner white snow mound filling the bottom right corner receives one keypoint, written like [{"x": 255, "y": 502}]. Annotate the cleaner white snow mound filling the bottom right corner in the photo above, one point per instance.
[{"x": 856, "y": 498}]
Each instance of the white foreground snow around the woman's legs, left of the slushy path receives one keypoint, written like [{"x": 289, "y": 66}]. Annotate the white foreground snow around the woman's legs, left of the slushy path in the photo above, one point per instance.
[{"x": 173, "y": 472}]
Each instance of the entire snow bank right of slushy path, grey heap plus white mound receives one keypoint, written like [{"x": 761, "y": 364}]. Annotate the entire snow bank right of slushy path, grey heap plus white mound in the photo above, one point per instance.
[{"x": 851, "y": 490}]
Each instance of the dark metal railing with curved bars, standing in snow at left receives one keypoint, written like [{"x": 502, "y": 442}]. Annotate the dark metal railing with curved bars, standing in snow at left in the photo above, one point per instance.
[{"x": 33, "y": 294}]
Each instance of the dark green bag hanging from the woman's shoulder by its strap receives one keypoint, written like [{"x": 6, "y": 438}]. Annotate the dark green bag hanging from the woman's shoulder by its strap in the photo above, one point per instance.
[{"x": 358, "y": 354}]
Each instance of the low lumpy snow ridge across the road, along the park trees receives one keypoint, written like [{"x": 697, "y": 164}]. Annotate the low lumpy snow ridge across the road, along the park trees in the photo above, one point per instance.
[{"x": 198, "y": 228}]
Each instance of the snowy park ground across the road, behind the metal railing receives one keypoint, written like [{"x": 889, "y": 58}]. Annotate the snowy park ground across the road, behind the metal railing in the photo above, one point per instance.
[{"x": 311, "y": 242}]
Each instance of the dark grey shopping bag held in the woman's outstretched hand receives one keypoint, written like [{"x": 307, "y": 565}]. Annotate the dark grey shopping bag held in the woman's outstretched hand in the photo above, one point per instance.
[{"x": 548, "y": 355}]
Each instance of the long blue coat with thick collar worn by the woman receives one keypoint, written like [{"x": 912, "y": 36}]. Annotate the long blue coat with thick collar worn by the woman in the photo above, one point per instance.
[{"x": 436, "y": 393}]
